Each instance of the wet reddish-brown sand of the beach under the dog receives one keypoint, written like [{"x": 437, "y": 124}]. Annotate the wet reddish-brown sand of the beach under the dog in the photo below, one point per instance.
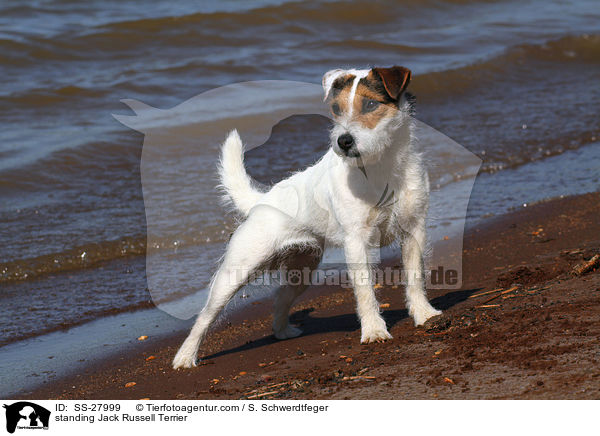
[{"x": 539, "y": 340}]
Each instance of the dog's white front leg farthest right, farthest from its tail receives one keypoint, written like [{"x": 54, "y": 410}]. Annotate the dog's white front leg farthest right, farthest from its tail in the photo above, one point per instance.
[{"x": 412, "y": 258}]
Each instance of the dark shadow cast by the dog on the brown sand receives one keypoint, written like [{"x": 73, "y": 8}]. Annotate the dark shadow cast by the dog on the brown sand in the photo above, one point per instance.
[{"x": 347, "y": 322}]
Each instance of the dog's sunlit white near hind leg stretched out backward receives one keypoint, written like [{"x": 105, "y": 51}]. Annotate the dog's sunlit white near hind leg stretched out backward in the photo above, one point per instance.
[{"x": 252, "y": 245}]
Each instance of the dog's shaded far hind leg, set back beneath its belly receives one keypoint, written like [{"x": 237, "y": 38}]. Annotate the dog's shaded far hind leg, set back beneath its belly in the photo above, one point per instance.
[{"x": 298, "y": 271}]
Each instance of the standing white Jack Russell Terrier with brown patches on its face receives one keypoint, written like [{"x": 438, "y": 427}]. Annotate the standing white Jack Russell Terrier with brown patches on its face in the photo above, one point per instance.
[{"x": 370, "y": 188}]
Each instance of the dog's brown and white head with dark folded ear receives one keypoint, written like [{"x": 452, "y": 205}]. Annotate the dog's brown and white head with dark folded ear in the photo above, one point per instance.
[{"x": 368, "y": 107}]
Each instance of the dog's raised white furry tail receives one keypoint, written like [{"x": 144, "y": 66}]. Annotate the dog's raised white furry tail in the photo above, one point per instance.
[{"x": 233, "y": 176}]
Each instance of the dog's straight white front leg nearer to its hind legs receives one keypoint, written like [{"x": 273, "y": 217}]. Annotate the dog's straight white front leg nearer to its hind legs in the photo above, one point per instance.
[{"x": 357, "y": 258}]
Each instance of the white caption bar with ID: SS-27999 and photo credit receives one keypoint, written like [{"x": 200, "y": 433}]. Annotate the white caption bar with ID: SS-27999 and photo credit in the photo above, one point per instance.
[{"x": 298, "y": 417}]
